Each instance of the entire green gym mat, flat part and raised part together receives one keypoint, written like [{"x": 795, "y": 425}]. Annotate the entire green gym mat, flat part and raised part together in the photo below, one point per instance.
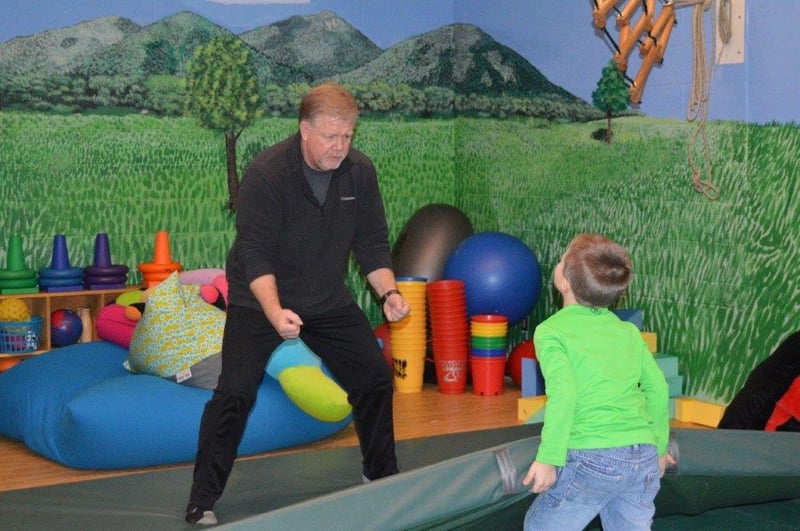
[{"x": 726, "y": 480}]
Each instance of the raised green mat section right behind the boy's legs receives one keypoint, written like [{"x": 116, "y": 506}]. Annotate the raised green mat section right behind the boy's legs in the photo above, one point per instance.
[{"x": 718, "y": 469}]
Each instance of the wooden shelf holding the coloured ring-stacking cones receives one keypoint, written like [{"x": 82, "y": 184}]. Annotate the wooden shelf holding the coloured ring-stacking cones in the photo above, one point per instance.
[{"x": 44, "y": 304}]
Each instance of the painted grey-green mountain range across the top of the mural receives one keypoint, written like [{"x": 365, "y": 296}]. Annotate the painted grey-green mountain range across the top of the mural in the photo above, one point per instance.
[{"x": 460, "y": 57}]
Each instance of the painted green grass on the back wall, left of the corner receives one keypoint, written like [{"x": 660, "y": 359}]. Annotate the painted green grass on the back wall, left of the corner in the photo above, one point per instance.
[{"x": 132, "y": 176}]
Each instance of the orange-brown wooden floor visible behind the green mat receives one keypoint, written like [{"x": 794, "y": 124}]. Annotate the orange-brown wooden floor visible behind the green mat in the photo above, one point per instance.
[{"x": 416, "y": 415}]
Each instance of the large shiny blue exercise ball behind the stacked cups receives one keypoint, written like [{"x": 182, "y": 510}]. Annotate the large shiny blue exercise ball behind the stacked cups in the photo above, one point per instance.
[{"x": 501, "y": 275}]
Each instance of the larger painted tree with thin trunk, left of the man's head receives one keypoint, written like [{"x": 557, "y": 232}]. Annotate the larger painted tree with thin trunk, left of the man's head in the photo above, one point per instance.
[{"x": 222, "y": 94}]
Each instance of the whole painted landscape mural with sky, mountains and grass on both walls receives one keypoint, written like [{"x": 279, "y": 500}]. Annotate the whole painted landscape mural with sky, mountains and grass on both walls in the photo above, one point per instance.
[{"x": 486, "y": 106}]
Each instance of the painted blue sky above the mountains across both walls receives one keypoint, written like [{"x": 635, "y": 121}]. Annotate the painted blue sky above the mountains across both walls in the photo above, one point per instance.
[{"x": 556, "y": 36}]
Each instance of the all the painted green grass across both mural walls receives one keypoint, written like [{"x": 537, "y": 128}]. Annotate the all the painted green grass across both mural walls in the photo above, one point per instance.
[{"x": 716, "y": 279}]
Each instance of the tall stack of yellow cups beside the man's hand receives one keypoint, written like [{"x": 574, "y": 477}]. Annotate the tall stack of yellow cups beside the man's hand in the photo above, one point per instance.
[{"x": 409, "y": 337}]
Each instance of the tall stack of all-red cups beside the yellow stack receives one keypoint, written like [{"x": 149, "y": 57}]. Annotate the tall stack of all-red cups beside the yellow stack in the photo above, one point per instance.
[{"x": 447, "y": 309}]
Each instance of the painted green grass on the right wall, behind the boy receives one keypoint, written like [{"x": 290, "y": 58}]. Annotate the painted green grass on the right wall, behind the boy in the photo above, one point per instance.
[{"x": 715, "y": 279}]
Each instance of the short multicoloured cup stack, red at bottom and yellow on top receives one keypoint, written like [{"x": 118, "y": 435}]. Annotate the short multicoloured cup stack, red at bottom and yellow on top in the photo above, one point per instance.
[{"x": 488, "y": 353}]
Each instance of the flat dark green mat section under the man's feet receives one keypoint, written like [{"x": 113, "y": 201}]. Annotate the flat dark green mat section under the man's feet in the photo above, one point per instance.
[{"x": 154, "y": 501}]
